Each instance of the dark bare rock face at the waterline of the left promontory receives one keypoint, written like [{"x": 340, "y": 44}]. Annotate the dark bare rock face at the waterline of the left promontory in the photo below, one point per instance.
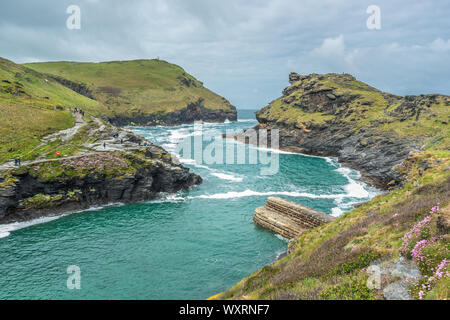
[{"x": 147, "y": 183}]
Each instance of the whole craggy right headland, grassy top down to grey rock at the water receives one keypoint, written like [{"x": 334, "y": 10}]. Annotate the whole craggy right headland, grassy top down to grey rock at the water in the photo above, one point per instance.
[{"x": 372, "y": 131}]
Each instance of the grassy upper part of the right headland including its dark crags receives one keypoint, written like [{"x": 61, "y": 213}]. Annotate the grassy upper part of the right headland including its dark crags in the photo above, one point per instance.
[{"x": 358, "y": 104}]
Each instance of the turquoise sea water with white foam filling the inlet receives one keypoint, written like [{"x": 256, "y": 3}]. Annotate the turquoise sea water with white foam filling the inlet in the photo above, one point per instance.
[{"x": 190, "y": 245}]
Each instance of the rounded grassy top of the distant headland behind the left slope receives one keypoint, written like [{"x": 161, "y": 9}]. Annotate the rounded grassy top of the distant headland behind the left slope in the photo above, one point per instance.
[{"x": 128, "y": 87}]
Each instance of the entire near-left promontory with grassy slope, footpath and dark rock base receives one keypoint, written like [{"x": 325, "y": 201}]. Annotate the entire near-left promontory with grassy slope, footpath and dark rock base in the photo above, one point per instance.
[{"x": 71, "y": 159}]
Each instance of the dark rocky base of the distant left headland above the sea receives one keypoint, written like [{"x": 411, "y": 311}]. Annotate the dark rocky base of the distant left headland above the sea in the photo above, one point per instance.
[{"x": 193, "y": 112}]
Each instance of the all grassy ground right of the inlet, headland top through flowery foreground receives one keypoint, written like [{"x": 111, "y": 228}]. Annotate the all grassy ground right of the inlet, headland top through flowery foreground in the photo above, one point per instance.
[{"x": 411, "y": 220}]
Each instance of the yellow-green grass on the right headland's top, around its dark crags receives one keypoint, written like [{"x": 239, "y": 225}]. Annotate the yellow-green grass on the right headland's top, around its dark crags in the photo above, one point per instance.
[{"x": 370, "y": 106}]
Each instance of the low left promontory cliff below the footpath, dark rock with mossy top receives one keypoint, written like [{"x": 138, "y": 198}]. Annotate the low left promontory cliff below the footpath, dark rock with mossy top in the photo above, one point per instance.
[{"x": 51, "y": 187}]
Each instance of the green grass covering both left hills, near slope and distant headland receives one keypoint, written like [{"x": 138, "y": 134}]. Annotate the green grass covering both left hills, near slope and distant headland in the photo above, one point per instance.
[{"x": 33, "y": 104}]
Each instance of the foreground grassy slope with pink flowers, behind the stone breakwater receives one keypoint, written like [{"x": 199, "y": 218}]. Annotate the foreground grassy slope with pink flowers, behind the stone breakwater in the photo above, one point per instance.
[{"x": 330, "y": 262}]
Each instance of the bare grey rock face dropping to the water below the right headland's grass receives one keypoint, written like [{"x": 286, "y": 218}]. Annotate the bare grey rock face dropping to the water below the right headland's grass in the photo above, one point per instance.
[{"x": 375, "y": 156}]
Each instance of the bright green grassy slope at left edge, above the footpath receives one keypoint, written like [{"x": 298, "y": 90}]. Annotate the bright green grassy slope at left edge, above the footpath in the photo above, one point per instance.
[{"x": 32, "y": 106}]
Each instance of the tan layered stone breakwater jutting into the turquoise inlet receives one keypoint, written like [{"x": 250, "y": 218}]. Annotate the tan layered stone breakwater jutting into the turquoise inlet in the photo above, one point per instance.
[{"x": 288, "y": 218}]
